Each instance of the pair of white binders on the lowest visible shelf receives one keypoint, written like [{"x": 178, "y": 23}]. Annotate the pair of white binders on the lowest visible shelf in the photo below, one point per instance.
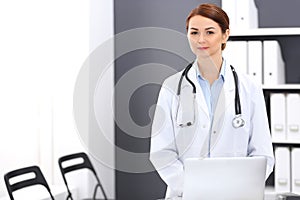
[{"x": 287, "y": 175}]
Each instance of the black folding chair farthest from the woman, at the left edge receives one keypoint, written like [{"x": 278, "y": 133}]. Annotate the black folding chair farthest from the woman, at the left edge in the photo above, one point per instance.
[{"x": 39, "y": 179}]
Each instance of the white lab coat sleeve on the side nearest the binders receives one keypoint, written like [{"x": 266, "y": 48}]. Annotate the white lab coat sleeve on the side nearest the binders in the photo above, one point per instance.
[{"x": 260, "y": 142}]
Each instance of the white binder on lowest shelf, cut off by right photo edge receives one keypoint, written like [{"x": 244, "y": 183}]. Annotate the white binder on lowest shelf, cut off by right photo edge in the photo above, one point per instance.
[{"x": 295, "y": 170}]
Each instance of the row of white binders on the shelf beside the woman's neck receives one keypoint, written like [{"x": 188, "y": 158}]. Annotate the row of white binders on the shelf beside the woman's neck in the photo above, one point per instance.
[{"x": 262, "y": 60}]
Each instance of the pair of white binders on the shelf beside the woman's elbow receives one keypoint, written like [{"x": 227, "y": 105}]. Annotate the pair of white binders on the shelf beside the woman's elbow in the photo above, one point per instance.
[{"x": 284, "y": 117}]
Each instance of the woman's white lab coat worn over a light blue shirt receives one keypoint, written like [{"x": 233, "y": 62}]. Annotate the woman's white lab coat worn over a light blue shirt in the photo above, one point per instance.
[{"x": 172, "y": 144}]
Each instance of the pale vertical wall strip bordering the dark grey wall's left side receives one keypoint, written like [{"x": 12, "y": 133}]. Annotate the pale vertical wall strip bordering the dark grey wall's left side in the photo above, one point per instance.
[{"x": 100, "y": 145}]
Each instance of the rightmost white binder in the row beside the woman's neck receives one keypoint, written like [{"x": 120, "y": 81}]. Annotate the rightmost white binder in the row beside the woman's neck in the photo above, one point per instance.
[{"x": 273, "y": 63}]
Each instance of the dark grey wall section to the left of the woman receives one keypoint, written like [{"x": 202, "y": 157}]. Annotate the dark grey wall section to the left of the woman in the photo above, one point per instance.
[{"x": 131, "y": 14}]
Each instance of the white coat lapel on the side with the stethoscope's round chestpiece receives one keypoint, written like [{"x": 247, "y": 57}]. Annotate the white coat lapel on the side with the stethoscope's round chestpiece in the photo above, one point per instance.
[{"x": 226, "y": 97}]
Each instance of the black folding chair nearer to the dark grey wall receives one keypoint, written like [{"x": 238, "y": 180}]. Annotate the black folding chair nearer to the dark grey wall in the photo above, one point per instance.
[{"x": 85, "y": 164}]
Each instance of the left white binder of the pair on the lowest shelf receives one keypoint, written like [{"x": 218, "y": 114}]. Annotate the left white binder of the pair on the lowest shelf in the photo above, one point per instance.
[{"x": 282, "y": 170}]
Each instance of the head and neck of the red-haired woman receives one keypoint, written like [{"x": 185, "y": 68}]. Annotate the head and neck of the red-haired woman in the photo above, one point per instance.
[{"x": 208, "y": 28}]
